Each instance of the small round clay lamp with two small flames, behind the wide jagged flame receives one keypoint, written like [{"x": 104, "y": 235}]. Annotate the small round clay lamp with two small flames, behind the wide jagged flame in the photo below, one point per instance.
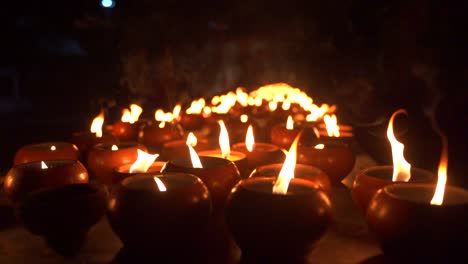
[{"x": 153, "y": 136}]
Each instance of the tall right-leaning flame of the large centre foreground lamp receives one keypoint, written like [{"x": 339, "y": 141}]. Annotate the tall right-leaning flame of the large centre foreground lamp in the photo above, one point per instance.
[{"x": 287, "y": 171}]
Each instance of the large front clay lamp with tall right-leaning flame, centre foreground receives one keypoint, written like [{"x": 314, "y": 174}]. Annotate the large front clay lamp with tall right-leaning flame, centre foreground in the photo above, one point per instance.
[{"x": 277, "y": 219}]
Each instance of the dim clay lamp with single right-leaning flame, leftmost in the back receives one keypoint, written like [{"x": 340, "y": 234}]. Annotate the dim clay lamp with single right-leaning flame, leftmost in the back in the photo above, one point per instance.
[{"x": 86, "y": 140}]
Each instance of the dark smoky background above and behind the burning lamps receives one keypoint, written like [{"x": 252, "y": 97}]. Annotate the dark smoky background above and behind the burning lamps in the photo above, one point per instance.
[{"x": 61, "y": 61}]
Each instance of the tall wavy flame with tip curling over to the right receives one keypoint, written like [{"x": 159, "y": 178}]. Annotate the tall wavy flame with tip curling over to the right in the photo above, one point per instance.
[{"x": 401, "y": 168}]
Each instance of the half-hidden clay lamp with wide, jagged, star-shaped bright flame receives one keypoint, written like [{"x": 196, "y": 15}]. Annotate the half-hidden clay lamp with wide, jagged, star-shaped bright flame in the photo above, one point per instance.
[{"x": 144, "y": 164}]
